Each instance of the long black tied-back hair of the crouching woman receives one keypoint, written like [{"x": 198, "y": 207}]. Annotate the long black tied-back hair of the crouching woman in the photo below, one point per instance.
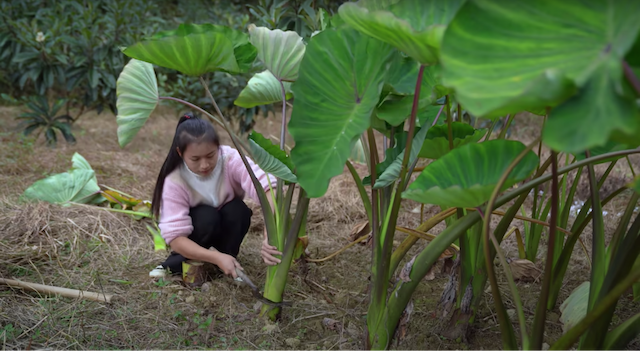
[{"x": 190, "y": 129}]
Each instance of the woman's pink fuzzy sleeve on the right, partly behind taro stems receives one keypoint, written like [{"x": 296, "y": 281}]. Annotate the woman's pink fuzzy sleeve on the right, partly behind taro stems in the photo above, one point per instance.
[{"x": 239, "y": 176}]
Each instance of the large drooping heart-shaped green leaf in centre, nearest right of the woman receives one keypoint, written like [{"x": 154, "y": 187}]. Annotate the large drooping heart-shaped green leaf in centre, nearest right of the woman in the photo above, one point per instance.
[{"x": 339, "y": 83}]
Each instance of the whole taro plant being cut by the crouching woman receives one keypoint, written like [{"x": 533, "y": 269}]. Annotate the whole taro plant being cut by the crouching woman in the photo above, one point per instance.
[{"x": 196, "y": 50}]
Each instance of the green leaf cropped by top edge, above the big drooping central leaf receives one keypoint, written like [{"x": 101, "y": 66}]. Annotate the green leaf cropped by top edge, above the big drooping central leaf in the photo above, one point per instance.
[{"x": 415, "y": 27}]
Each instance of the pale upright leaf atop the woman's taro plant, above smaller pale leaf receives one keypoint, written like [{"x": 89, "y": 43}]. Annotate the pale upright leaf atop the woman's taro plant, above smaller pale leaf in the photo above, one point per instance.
[{"x": 280, "y": 51}]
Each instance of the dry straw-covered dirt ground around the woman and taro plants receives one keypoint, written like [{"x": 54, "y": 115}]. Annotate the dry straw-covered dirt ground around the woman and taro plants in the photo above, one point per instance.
[{"x": 84, "y": 247}]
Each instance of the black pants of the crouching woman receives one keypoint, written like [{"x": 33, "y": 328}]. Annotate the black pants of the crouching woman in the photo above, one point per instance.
[{"x": 223, "y": 229}]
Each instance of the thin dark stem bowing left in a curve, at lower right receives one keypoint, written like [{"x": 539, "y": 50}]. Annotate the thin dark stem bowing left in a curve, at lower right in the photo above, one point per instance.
[{"x": 508, "y": 337}]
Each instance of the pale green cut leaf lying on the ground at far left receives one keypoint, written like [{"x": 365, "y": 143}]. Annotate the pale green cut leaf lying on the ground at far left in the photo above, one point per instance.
[{"x": 73, "y": 186}]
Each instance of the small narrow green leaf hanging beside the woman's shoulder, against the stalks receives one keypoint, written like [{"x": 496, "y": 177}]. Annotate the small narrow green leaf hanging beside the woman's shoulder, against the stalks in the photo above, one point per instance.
[{"x": 270, "y": 158}]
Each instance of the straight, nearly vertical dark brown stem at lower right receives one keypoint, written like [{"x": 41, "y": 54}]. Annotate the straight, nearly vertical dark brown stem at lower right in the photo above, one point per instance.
[{"x": 537, "y": 335}]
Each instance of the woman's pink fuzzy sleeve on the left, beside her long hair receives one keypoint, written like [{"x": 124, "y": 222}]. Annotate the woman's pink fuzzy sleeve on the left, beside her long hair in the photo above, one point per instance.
[{"x": 174, "y": 215}]
